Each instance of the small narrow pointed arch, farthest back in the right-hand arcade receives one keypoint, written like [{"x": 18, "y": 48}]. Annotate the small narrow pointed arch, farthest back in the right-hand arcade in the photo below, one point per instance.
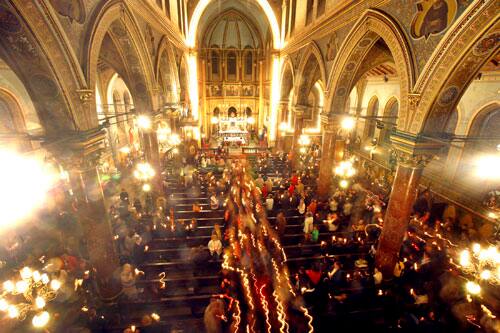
[{"x": 304, "y": 77}]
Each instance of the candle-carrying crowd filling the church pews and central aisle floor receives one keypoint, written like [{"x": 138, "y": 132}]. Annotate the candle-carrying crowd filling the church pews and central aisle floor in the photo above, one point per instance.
[{"x": 334, "y": 276}]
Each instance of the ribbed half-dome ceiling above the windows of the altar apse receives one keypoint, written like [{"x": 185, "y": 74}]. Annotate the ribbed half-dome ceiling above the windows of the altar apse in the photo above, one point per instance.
[{"x": 232, "y": 30}]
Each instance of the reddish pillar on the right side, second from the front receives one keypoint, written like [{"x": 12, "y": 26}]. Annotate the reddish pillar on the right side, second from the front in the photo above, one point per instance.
[{"x": 332, "y": 151}]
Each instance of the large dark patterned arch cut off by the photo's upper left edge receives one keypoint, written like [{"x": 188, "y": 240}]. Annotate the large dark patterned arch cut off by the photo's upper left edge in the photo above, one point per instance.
[{"x": 25, "y": 53}]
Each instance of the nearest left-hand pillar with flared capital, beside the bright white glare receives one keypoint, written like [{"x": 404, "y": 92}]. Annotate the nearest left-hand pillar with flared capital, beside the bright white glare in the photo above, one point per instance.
[{"x": 79, "y": 155}]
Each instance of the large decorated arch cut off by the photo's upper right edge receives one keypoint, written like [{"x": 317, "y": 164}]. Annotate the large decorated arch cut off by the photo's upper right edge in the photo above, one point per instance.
[{"x": 472, "y": 41}]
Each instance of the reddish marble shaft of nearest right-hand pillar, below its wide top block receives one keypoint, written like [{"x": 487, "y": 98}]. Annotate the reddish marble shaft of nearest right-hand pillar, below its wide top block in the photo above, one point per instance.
[{"x": 404, "y": 192}]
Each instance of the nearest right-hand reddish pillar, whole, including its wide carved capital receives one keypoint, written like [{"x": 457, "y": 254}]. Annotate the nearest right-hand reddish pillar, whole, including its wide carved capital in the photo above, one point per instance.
[{"x": 412, "y": 156}]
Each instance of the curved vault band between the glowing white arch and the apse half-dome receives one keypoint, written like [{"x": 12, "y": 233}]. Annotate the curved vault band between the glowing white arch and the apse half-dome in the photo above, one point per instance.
[{"x": 249, "y": 9}]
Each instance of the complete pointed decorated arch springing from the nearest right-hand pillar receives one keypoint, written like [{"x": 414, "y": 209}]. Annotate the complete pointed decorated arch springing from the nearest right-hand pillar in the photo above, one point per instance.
[{"x": 369, "y": 28}]
